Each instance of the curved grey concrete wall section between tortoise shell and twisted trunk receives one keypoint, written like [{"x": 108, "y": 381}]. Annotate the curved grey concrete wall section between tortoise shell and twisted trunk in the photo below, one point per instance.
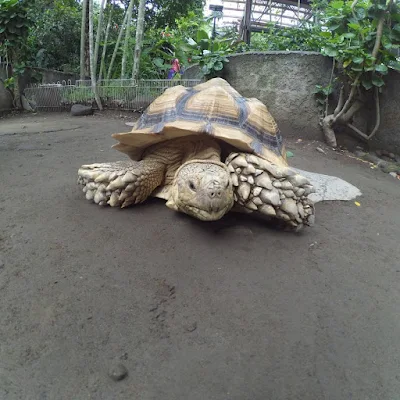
[{"x": 284, "y": 82}]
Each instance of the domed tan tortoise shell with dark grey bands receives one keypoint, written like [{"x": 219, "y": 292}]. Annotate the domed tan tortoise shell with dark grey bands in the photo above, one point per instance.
[{"x": 214, "y": 108}]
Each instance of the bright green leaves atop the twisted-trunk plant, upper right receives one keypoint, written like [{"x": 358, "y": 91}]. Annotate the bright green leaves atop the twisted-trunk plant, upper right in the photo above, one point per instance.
[{"x": 352, "y": 34}]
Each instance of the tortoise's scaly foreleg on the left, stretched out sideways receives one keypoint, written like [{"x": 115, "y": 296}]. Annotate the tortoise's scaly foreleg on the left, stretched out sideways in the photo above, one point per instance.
[{"x": 121, "y": 183}]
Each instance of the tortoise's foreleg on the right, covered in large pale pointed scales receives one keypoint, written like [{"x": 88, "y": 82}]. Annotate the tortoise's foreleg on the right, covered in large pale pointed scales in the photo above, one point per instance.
[{"x": 271, "y": 190}]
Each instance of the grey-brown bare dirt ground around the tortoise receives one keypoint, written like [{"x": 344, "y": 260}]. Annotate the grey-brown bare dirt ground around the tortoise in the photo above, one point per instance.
[{"x": 232, "y": 310}]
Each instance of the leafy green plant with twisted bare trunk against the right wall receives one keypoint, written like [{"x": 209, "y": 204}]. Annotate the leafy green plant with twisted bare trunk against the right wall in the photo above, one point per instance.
[{"x": 361, "y": 36}]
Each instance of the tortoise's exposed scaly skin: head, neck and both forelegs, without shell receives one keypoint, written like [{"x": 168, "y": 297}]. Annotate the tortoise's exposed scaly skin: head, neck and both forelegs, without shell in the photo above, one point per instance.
[{"x": 189, "y": 174}]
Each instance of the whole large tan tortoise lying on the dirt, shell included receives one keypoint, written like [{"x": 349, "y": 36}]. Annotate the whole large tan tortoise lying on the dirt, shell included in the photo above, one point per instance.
[{"x": 206, "y": 150}]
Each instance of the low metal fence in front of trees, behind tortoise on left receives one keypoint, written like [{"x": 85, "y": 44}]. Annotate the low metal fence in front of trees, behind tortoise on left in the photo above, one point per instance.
[{"x": 115, "y": 94}]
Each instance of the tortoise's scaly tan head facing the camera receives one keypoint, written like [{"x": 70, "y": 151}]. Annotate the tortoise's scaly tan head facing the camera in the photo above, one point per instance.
[{"x": 202, "y": 189}]
